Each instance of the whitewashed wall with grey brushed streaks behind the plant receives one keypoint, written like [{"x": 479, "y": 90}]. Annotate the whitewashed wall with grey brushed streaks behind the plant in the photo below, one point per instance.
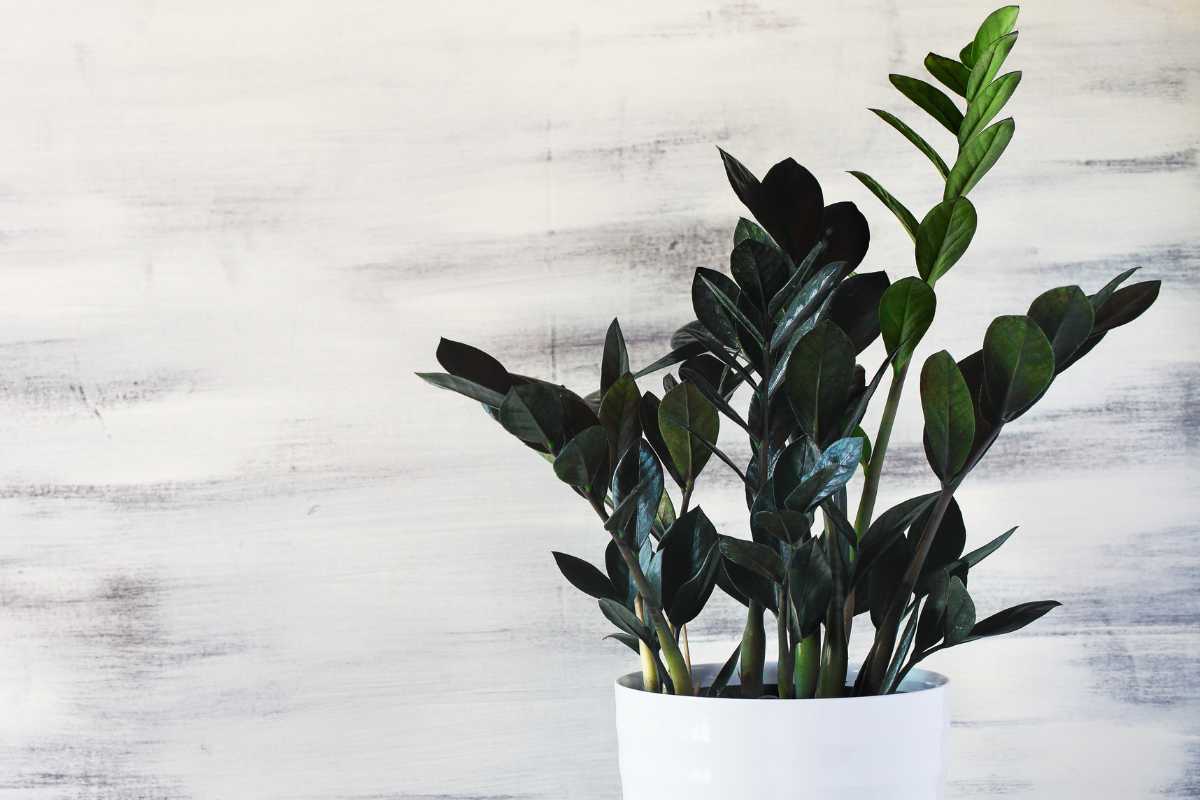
[{"x": 245, "y": 554}]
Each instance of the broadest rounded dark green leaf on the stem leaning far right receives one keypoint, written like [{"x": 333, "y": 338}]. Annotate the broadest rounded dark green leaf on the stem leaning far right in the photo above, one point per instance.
[{"x": 1018, "y": 366}]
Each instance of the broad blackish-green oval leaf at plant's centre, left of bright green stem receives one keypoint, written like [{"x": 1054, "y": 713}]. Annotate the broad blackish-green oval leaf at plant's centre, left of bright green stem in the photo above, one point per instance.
[{"x": 820, "y": 375}]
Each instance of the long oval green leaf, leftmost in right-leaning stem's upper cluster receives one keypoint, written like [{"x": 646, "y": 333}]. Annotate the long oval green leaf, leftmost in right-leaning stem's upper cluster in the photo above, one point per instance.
[{"x": 950, "y": 416}]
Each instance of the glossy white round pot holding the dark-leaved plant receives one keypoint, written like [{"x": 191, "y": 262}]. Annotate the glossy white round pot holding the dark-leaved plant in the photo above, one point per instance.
[{"x": 723, "y": 749}]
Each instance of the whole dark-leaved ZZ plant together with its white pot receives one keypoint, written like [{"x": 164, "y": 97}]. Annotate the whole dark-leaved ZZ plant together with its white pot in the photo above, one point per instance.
[{"x": 773, "y": 352}]
